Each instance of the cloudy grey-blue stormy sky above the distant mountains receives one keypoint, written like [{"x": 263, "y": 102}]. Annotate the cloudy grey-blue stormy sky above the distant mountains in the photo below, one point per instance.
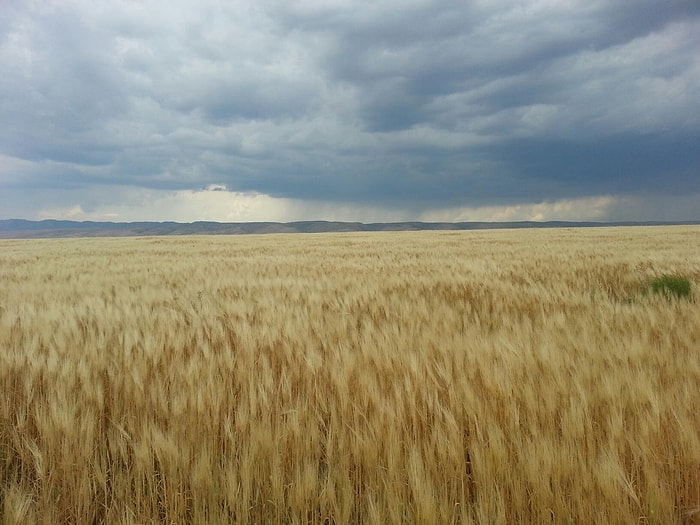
[{"x": 355, "y": 110}]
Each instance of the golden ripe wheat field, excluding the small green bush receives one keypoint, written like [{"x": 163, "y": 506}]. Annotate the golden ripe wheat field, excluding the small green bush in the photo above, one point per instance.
[{"x": 487, "y": 377}]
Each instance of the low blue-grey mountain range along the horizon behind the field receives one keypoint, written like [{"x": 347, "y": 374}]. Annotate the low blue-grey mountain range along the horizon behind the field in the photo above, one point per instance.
[{"x": 24, "y": 229}]
